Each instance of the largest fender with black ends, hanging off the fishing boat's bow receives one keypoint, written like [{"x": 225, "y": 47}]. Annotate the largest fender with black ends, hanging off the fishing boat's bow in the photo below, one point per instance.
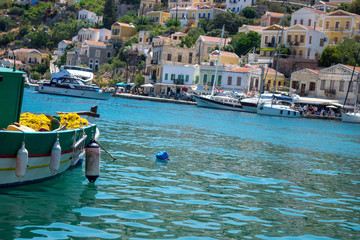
[{"x": 92, "y": 161}]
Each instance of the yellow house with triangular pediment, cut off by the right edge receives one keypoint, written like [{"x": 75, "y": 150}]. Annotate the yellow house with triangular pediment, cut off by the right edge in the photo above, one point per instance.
[{"x": 340, "y": 25}]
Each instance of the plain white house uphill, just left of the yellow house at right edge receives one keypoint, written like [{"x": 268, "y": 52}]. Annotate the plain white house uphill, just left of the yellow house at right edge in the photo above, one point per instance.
[{"x": 308, "y": 17}]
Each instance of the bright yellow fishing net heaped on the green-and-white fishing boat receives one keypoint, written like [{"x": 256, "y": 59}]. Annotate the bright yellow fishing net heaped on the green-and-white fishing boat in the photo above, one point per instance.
[{"x": 70, "y": 120}]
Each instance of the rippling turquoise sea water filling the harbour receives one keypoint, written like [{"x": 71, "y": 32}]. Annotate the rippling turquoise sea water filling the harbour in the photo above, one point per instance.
[{"x": 231, "y": 176}]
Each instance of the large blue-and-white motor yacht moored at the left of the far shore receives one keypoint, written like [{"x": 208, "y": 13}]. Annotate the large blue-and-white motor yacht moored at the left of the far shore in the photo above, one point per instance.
[{"x": 72, "y": 86}]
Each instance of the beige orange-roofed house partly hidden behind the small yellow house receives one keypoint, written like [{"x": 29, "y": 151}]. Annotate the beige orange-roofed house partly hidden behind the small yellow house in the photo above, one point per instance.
[{"x": 204, "y": 45}]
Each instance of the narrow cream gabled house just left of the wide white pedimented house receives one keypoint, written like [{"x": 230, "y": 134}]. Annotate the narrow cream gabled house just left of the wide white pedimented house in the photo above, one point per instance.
[{"x": 270, "y": 38}]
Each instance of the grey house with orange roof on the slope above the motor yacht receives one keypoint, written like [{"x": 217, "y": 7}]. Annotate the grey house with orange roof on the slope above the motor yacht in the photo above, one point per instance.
[{"x": 91, "y": 54}]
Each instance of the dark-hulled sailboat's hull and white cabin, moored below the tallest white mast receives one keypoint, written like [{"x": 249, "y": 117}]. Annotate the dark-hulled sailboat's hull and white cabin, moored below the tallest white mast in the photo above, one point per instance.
[{"x": 219, "y": 102}]
